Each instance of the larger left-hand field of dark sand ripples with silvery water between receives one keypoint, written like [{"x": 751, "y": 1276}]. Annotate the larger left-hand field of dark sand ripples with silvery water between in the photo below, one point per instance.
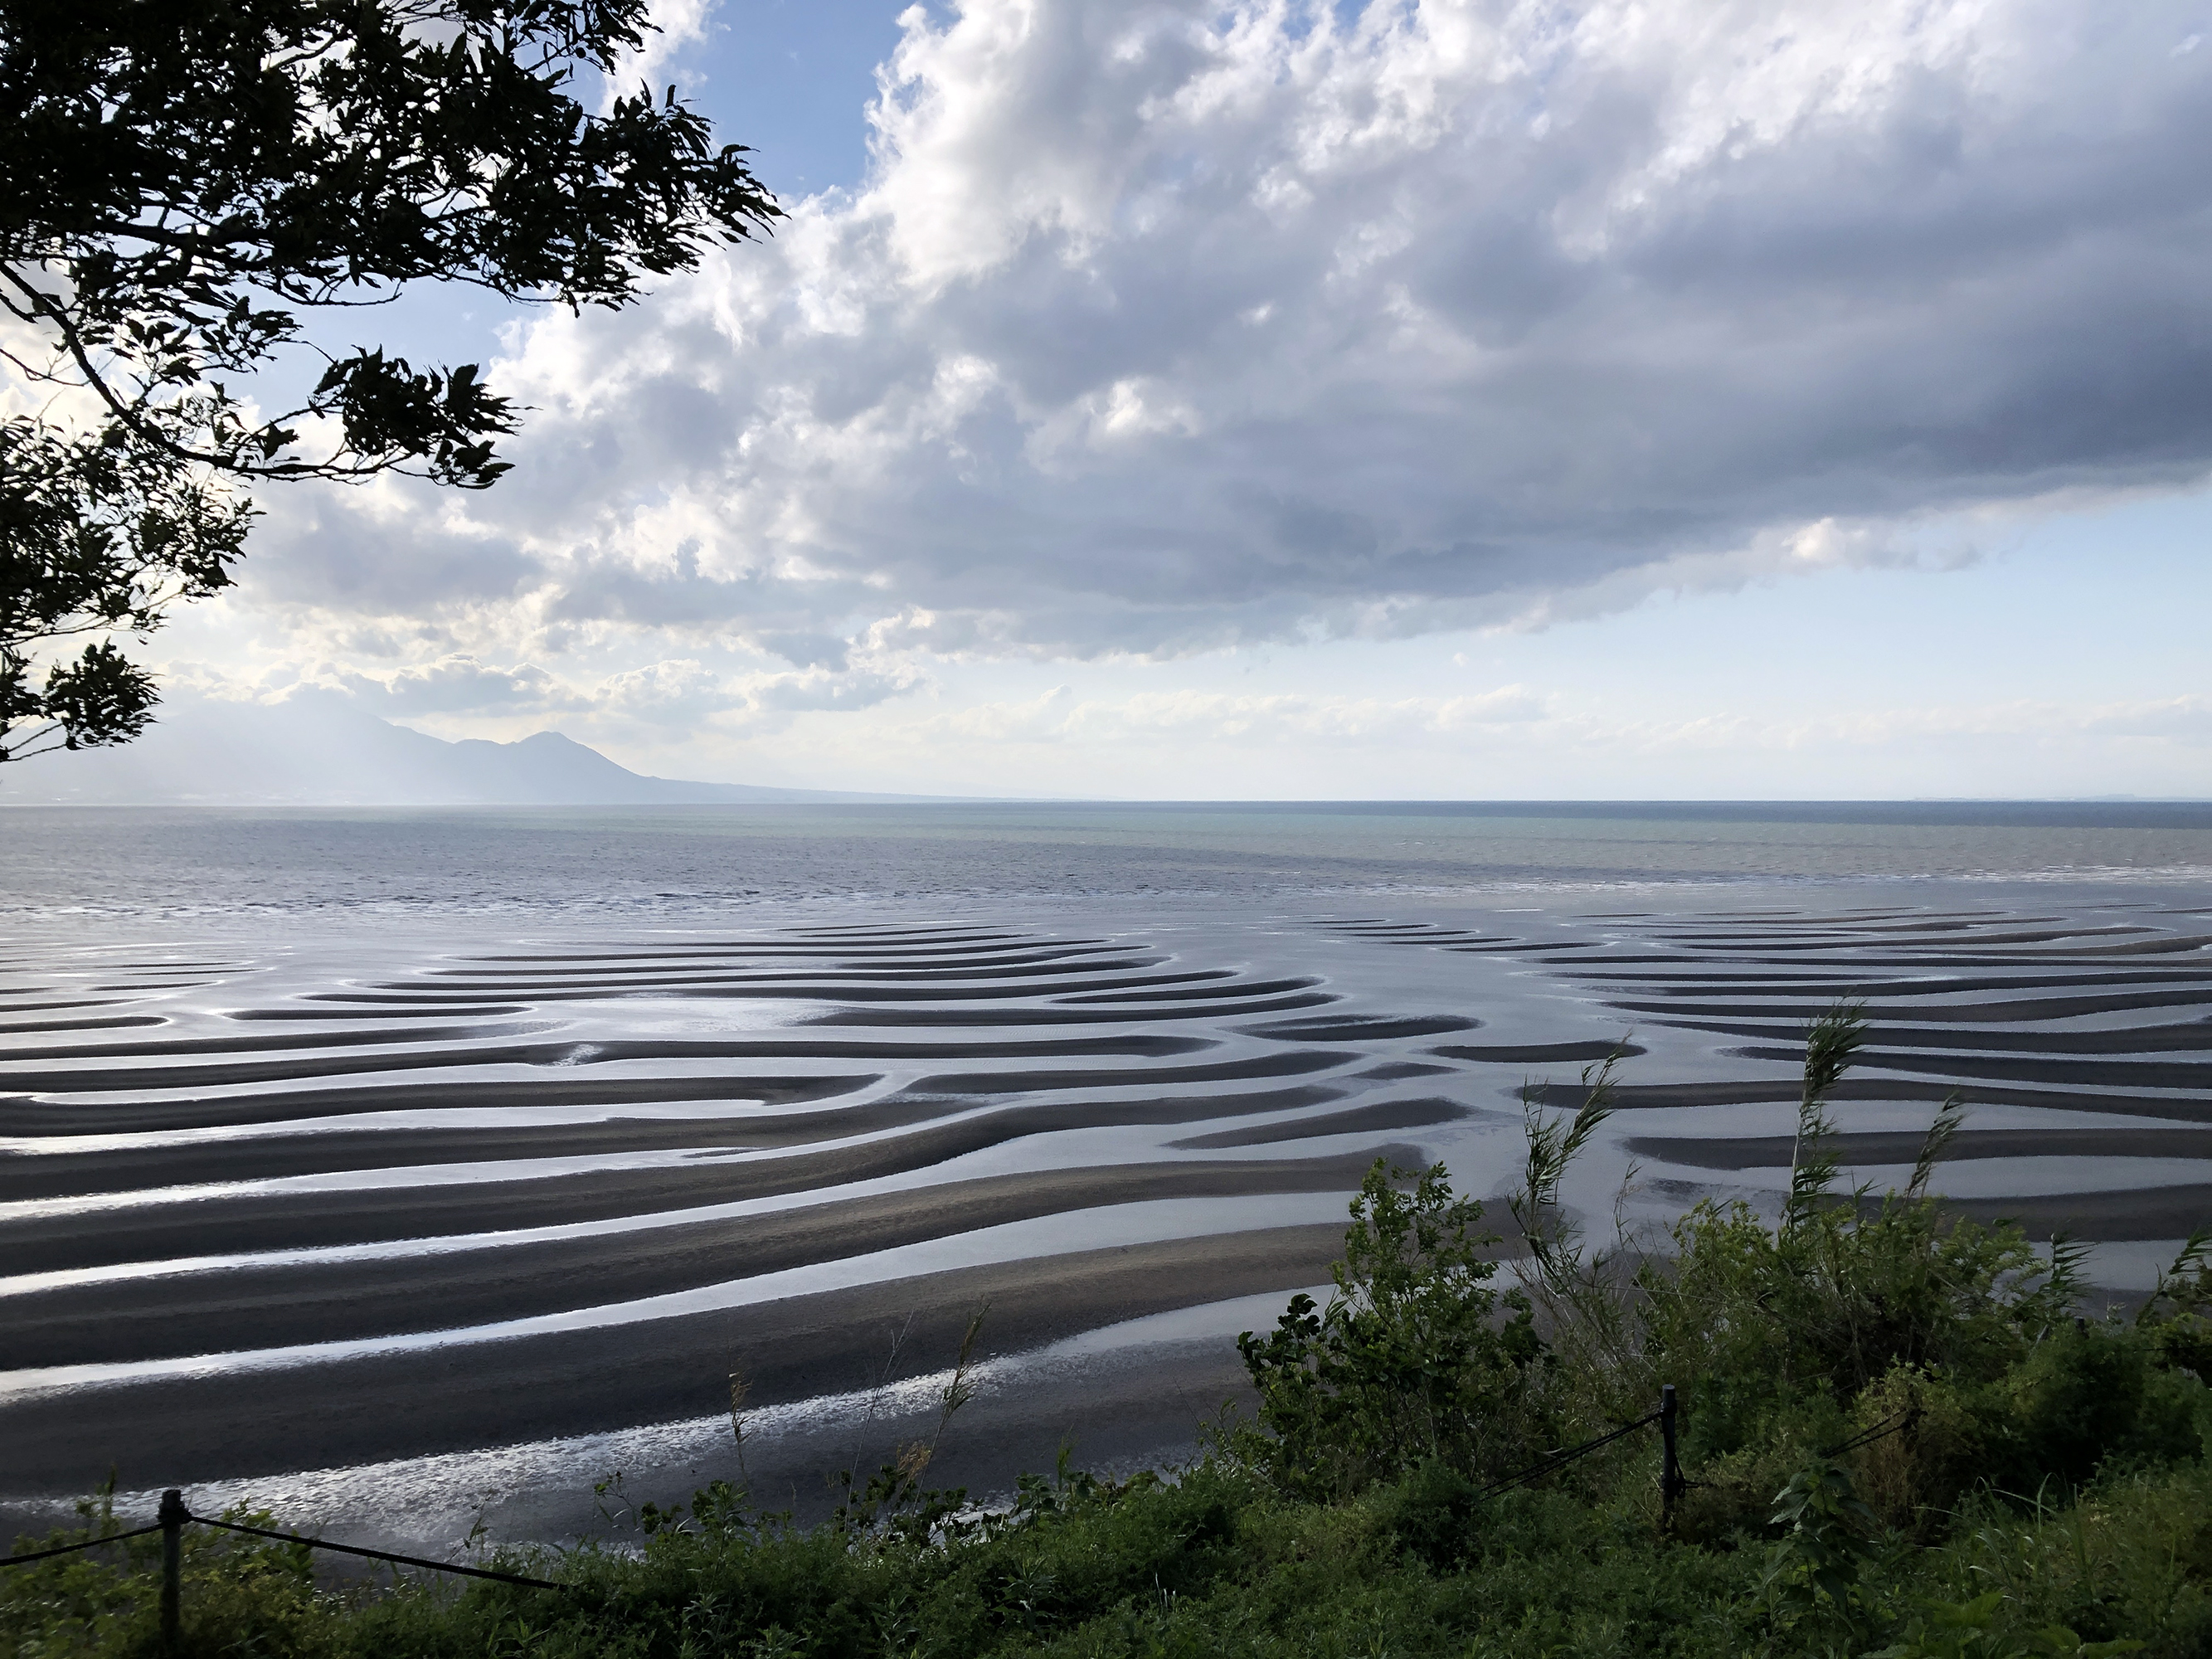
[{"x": 547, "y": 1191}]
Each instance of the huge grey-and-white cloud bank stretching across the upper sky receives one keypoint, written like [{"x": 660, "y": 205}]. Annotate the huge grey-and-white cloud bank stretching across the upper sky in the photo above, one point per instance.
[{"x": 1167, "y": 326}]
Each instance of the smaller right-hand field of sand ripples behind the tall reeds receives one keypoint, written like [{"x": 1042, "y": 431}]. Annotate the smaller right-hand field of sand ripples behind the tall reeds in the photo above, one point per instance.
[{"x": 2080, "y": 1043}]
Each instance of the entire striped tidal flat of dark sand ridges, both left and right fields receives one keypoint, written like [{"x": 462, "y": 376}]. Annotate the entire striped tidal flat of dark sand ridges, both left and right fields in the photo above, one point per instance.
[{"x": 260, "y": 1215}]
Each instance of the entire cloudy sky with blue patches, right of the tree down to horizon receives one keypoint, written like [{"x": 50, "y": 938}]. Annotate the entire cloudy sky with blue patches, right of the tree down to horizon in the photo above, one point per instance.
[{"x": 1452, "y": 399}]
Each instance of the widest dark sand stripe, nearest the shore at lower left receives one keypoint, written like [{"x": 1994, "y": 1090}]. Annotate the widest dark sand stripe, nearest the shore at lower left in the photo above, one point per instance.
[{"x": 486, "y": 1395}]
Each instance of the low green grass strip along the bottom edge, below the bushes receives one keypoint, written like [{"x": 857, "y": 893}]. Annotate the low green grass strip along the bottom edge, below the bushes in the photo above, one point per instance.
[{"x": 1215, "y": 1563}]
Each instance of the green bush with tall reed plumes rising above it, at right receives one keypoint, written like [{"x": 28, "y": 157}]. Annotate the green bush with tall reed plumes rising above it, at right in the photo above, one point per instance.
[{"x": 1775, "y": 1328}]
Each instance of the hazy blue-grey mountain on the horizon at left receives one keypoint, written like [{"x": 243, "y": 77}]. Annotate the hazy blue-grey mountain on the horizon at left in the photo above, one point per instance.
[{"x": 320, "y": 749}]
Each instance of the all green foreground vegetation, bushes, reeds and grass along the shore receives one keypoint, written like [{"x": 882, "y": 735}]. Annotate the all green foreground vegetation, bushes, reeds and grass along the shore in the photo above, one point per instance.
[{"x": 1903, "y": 1439}]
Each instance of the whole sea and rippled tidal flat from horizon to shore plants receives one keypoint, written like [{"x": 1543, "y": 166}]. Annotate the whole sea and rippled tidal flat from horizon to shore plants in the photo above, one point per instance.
[{"x": 421, "y": 1171}]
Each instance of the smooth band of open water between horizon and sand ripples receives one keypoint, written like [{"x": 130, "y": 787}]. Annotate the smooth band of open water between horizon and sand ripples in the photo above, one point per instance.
[{"x": 702, "y": 862}]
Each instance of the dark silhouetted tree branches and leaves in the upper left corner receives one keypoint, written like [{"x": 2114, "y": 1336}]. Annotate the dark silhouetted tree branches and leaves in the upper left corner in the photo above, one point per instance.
[{"x": 187, "y": 185}]
